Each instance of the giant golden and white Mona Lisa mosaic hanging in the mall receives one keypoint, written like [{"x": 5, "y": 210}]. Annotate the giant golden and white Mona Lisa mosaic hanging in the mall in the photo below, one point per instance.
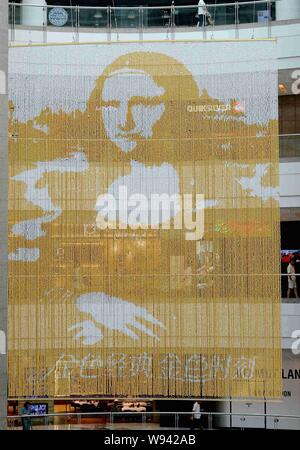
[{"x": 144, "y": 220}]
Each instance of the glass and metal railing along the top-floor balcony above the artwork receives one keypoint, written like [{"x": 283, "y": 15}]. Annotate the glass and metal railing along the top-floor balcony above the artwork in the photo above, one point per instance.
[{"x": 141, "y": 19}]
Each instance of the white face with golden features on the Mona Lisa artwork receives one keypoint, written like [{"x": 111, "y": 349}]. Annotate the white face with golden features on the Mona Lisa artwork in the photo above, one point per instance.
[{"x": 131, "y": 108}]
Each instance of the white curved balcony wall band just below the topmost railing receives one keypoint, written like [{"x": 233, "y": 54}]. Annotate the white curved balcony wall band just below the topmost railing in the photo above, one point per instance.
[{"x": 287, "y": 35}]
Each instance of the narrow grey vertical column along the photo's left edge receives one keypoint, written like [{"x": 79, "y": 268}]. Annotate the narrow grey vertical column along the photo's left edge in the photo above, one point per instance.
[{"x": 3, "y": 207}]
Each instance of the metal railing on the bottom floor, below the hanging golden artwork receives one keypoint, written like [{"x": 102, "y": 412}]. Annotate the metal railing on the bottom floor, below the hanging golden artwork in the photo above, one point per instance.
[{"x": 170, "y": 419}]
